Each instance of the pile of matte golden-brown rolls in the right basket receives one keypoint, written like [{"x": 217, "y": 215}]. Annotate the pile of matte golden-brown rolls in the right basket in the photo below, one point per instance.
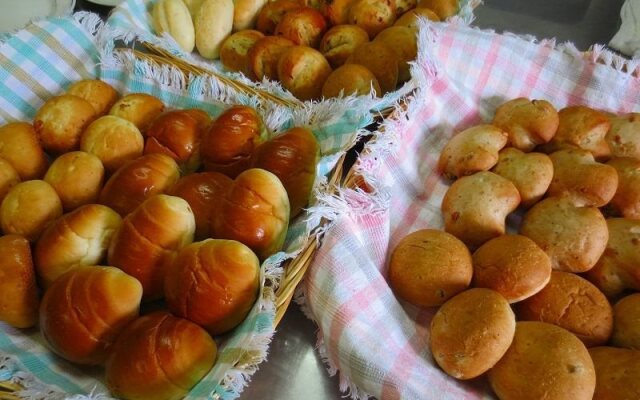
[{"x": 551, "y": 308}]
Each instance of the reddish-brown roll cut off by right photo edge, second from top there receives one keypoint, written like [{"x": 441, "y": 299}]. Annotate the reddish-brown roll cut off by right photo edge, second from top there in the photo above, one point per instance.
[{"x": 626, "y": 200}]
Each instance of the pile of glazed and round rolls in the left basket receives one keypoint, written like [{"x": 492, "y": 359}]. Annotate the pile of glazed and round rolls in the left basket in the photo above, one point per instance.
[{"x": 112, "y": 206}]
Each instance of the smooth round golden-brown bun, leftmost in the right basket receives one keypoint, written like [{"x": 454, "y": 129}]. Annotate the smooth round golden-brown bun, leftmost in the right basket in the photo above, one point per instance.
[{"x": 427, "y": 267}]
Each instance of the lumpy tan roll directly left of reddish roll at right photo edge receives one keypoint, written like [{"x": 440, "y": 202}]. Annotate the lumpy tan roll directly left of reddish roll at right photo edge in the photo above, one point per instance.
[{"x": 578, "y": 177}]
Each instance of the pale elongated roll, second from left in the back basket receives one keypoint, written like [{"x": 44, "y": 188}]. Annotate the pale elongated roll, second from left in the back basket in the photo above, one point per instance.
[{"x": 213, "y": 23}]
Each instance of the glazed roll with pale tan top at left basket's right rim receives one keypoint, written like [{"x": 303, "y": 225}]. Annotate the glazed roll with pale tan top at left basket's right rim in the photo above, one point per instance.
[{"x": 255, "y": 212}]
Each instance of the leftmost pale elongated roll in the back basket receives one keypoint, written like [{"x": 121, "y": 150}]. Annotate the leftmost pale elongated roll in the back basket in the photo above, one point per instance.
[{"x": 173, "y": 17}]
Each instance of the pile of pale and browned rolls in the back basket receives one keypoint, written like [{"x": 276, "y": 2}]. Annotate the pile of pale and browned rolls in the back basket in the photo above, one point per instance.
[{"x": 314, "y": 48}]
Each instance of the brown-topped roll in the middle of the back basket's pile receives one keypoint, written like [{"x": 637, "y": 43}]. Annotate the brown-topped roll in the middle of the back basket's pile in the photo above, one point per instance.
[{"x": 339, "y": 42}]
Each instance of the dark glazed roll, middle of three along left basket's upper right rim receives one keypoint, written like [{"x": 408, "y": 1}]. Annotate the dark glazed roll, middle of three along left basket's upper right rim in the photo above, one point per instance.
[{"x": 227, "y": 145}]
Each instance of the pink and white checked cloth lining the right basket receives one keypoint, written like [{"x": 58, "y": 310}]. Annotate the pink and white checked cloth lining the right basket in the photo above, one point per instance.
[{"x": 379, "y": 344}]
